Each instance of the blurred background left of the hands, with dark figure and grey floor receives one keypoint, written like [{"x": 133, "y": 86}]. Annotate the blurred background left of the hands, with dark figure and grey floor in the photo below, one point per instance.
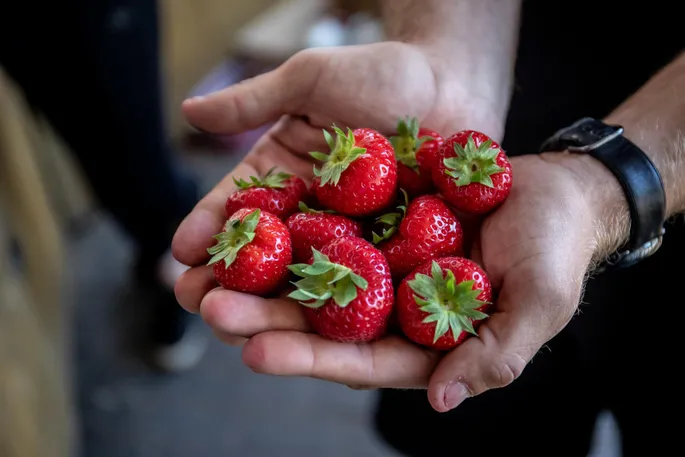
[{"x": 97, "y": 167}]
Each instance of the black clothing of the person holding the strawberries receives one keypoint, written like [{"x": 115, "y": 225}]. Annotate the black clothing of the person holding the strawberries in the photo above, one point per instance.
[{"x": 577, "y": 59}]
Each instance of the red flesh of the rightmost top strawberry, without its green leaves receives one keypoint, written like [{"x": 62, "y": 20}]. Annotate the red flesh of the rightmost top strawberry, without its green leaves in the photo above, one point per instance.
[{"x": 474, "y": 198}]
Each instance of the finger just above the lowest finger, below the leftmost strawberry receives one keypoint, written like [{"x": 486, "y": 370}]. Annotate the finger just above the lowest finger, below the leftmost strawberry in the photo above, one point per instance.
[{"x": 245, "y": 315}]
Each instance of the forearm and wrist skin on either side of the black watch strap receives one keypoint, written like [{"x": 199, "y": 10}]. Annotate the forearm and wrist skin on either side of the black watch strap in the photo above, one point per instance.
[{"x": 654, "y": 119}]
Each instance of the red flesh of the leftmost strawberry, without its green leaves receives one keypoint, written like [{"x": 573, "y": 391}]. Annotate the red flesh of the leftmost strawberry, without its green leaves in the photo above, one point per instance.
[{"x": 262, "y": 265}]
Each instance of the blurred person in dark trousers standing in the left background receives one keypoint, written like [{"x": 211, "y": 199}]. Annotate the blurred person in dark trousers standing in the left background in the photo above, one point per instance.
[{"x": 93, "y": 69}]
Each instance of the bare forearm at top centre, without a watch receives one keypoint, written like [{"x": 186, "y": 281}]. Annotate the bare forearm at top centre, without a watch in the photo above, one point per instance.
[{"x": 476, "y": 39}]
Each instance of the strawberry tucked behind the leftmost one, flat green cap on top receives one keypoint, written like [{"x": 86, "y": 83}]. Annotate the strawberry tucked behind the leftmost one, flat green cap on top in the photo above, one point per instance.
[{"x": 277, "y": 193}]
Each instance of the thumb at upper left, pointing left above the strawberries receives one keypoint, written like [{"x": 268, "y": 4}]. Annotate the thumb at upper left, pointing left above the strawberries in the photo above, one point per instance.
[{"x": 248, "y": 104}]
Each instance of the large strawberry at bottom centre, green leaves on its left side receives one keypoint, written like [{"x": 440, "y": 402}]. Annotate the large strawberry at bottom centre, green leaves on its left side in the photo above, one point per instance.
[{"x": 346, "y": 290}]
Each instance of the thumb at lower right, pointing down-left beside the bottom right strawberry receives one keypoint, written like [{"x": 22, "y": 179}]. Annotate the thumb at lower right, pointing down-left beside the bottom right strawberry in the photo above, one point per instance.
[{"x": 507, "y": 341}]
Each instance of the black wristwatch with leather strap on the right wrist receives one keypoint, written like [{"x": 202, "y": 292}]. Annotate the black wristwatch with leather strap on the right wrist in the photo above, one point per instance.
[{"x": 639, "y": 178}]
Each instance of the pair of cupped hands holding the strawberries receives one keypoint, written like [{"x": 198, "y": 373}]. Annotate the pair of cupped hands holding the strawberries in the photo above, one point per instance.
[{"x": 536, "y": 247}]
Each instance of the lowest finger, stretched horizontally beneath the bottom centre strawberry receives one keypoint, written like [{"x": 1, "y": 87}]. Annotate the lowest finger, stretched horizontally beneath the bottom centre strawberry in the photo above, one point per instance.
[{"x": 391, "y": 362}]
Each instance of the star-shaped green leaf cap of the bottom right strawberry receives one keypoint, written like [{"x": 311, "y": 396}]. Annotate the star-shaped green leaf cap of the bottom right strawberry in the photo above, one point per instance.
[{"x": 448, "y": 304}]
